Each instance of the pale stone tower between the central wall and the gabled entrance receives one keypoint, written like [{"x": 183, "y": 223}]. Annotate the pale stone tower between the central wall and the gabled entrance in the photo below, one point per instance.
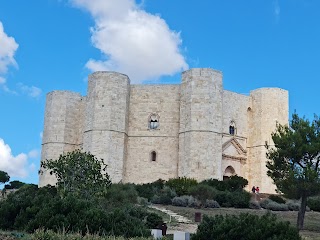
[{"x": 200, "y": 151}]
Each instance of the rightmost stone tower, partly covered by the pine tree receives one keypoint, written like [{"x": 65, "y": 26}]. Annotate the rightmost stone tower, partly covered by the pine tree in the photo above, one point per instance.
[{"x": 269, "y": 106}]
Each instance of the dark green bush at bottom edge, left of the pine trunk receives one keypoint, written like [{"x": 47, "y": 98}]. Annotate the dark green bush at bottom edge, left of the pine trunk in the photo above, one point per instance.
[{"x": 245, "y": 226}]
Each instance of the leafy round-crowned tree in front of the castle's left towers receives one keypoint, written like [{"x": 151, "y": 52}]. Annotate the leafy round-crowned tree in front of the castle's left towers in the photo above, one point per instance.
[{"x": 79, "y": 173}]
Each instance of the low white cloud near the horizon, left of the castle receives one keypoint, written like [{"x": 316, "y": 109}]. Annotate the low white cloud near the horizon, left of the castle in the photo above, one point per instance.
[{"x": 15, "y": 166}]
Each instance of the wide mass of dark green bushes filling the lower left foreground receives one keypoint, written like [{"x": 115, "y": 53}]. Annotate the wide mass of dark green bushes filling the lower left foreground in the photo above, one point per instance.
[{"x": 31, "y": 208}]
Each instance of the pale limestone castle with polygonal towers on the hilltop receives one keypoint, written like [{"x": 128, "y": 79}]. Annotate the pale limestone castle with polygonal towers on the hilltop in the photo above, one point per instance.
[{"x": 146, "y": 132}]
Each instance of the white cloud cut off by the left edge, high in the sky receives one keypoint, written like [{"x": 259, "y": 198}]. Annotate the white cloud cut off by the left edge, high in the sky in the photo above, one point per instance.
[{"x": 7, "y": 51}]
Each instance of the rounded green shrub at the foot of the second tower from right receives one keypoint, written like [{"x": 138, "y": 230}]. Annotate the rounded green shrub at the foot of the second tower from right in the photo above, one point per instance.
[{"x": 181, "y": 185}]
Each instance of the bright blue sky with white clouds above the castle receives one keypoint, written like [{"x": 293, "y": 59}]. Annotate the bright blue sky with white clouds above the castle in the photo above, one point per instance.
[{"x": 48, "y": 45}]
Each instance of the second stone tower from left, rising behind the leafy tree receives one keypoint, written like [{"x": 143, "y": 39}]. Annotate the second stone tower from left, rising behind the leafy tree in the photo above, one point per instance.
[{"x": 106, "y": 120}]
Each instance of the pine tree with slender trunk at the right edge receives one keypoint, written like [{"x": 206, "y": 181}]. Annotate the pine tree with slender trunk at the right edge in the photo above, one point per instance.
[{"x": 294, "y": 160}]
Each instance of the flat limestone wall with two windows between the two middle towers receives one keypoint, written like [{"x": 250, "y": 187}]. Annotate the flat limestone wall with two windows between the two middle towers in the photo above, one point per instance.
[{"x": 163, "y": 100}]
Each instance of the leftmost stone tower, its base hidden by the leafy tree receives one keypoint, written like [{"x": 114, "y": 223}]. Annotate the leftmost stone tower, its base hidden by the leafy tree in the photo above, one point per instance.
[{"x": 62, "y": 127}]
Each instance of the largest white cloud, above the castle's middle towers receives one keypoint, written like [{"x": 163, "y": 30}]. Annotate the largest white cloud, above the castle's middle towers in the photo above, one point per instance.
[{"x": 132, "y": 41}]
